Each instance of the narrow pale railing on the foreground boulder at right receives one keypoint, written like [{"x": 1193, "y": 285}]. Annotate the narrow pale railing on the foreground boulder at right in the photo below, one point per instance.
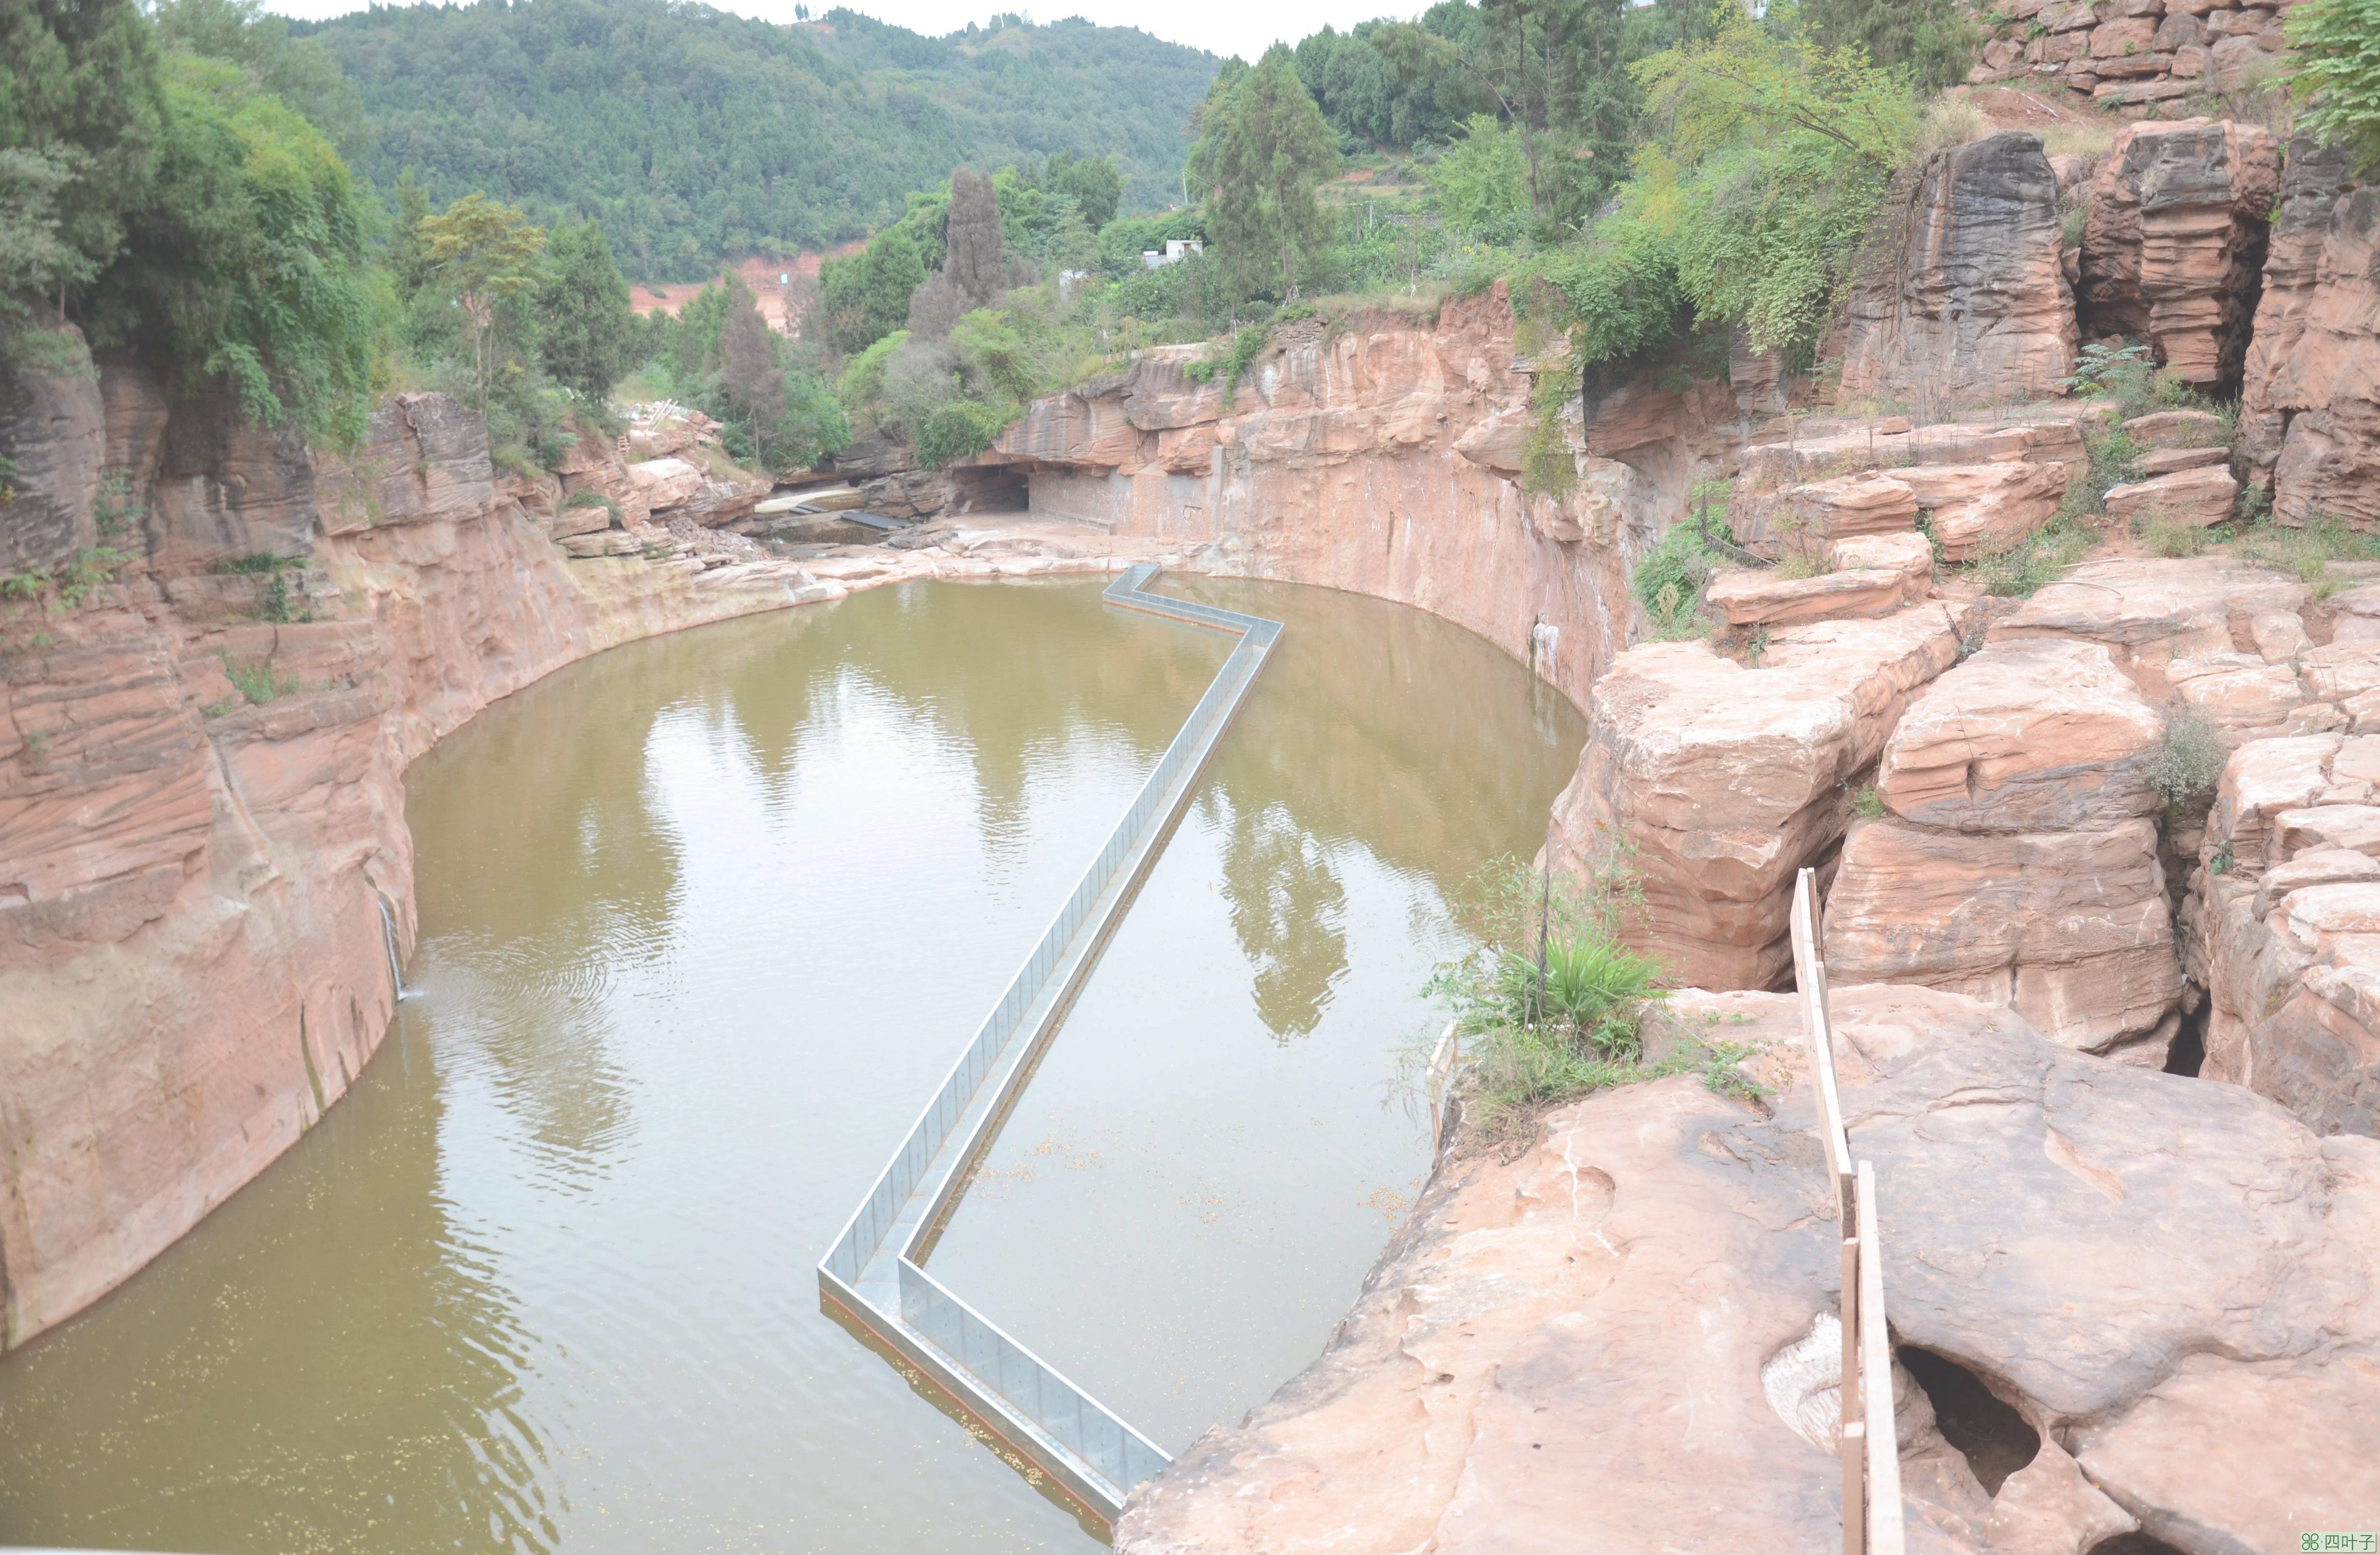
[{"x": 1872, "y": 1456}]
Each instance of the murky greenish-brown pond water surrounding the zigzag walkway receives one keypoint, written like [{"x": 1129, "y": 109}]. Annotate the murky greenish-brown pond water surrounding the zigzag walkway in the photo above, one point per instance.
[{"x": 703, "y": 923}]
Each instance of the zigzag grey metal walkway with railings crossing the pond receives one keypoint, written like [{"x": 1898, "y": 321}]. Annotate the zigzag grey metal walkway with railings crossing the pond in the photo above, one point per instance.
[{"x": 877, "y": 1268}]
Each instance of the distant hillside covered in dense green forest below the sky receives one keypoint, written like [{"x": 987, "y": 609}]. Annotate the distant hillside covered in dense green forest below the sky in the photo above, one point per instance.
[{"x": 694, "y": 135}]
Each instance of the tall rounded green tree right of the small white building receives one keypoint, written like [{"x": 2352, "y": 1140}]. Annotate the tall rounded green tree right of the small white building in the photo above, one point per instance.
[{"x": 1263, "y": 154}]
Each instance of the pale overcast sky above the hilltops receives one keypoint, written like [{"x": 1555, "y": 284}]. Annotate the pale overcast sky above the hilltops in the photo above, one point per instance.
[{"x": 1225, "y": 27}]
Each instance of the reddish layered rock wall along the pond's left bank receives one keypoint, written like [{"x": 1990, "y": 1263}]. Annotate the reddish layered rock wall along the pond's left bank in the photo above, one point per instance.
[{"x": 203, "y": 854}]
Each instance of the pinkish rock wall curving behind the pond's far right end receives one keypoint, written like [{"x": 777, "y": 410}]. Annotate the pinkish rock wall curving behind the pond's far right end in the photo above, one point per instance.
[{"x": 1384, "y": 461}]
